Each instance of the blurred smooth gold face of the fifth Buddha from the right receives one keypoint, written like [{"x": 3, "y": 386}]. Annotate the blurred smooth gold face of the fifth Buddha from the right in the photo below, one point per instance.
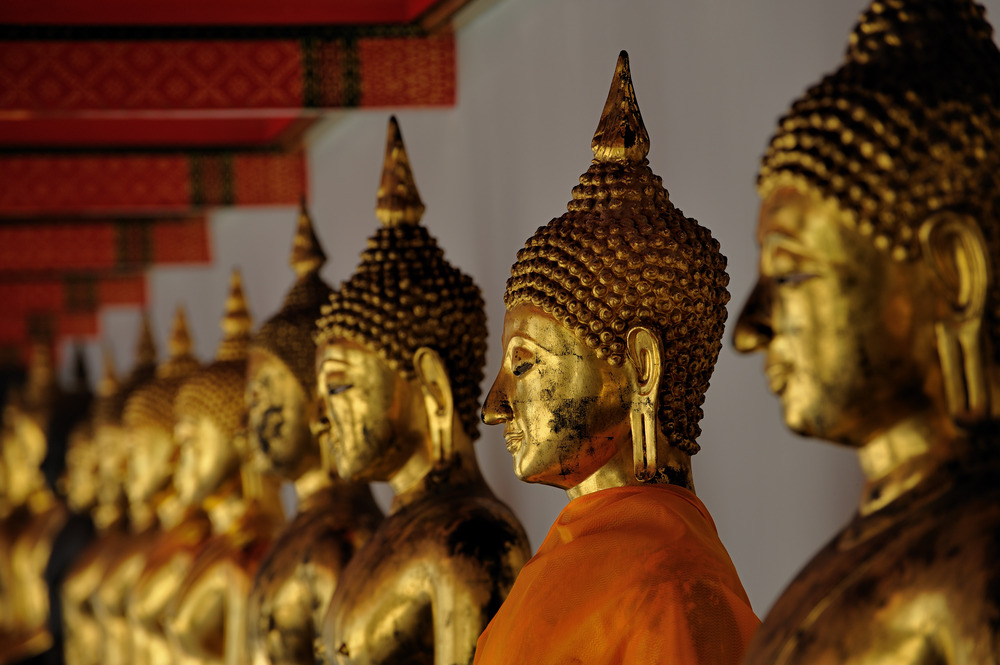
[{"x": 207, "y": 458}]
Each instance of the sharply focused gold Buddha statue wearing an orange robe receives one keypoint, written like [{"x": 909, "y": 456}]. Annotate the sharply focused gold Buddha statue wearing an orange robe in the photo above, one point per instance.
[{"x": 614, "y": 320}]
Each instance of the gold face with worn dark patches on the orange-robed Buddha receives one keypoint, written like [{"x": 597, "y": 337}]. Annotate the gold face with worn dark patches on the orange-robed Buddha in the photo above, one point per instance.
[{"x": 565, "y": 411}]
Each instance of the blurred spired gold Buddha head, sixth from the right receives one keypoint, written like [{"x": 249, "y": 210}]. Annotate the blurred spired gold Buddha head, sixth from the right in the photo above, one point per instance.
[{"x": 148, "y": 419}]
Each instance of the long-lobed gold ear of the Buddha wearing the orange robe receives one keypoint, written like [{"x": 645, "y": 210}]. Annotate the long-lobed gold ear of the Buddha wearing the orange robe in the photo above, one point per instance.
[{"x": 645, "y": 354}]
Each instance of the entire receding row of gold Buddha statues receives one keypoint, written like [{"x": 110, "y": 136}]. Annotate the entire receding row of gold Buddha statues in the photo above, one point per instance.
[{"x": 878, "y": 308}]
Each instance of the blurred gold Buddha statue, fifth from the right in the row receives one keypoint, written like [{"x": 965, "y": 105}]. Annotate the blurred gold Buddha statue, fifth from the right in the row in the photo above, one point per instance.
[{"x": 207, "y": 617}]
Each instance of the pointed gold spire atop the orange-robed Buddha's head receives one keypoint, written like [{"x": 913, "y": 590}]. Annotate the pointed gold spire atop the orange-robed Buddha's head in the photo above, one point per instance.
[{"x": 621, "y": 135}]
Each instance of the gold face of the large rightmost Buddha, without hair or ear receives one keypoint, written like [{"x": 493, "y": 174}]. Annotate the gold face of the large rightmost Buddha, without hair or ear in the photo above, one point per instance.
[{"x": 848, "y": 340}]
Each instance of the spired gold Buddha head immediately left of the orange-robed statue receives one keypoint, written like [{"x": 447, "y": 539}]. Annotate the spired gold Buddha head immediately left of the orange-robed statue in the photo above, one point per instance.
[{"x": 401, "y": 344}]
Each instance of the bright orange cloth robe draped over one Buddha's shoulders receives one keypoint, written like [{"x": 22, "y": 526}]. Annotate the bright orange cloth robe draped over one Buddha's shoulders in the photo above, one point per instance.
[{"x": 625, "y": 575}]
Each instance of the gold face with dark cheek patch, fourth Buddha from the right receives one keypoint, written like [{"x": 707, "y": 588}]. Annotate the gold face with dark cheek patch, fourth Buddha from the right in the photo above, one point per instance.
[{"x": 277, "y": 414}]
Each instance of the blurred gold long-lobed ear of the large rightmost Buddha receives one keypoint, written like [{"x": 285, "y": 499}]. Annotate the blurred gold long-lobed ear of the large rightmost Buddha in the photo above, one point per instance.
[{"x": 953, "y": 247}]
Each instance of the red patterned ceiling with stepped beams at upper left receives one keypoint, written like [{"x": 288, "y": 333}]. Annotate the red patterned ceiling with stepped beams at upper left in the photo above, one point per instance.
[{"x": 122, "y": 121}]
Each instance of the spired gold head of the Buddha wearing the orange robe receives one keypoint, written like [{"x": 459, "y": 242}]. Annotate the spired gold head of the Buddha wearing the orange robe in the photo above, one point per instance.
[{"x": 615, "y": 312}]
